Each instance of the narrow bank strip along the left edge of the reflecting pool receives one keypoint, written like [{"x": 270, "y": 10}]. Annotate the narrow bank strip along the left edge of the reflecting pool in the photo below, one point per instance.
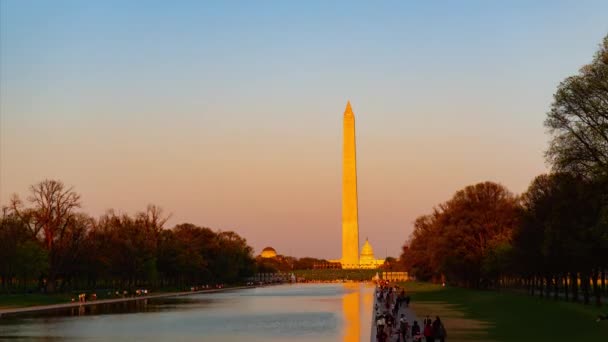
[{"x": 50, "y": 307}]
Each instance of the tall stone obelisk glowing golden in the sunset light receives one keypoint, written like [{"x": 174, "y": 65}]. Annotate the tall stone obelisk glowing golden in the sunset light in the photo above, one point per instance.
[{"x": 350, "y": 220}]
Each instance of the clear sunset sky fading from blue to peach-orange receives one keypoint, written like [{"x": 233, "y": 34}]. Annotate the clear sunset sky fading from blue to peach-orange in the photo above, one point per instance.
[{"x": 228, "y": 114}]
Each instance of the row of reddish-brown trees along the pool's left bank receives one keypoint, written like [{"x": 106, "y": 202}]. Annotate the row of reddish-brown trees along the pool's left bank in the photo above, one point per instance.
[{"x": 46, "y": 244}]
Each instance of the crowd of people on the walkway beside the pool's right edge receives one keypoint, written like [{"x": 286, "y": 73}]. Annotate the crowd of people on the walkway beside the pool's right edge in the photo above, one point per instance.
[{"x": 392, "y": 327}]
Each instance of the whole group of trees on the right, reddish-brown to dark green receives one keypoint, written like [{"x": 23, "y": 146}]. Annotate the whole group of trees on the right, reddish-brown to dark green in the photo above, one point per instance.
[{"x": 552, "y": 240}]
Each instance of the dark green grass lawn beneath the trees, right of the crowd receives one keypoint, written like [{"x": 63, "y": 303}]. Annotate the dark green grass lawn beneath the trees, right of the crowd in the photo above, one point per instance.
[{"x": 475, "y": 315}]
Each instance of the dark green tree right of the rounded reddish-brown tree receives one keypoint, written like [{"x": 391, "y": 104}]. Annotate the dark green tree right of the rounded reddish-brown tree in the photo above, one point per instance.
[{"x": 560, "y": 235}]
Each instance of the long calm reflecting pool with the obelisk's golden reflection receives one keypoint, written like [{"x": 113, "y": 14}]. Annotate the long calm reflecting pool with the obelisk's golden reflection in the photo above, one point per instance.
[{"x": 303, "y": 312}]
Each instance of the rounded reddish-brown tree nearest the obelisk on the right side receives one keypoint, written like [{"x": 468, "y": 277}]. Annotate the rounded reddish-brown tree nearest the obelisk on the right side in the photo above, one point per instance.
[{"x": 461, "y": 239}]
